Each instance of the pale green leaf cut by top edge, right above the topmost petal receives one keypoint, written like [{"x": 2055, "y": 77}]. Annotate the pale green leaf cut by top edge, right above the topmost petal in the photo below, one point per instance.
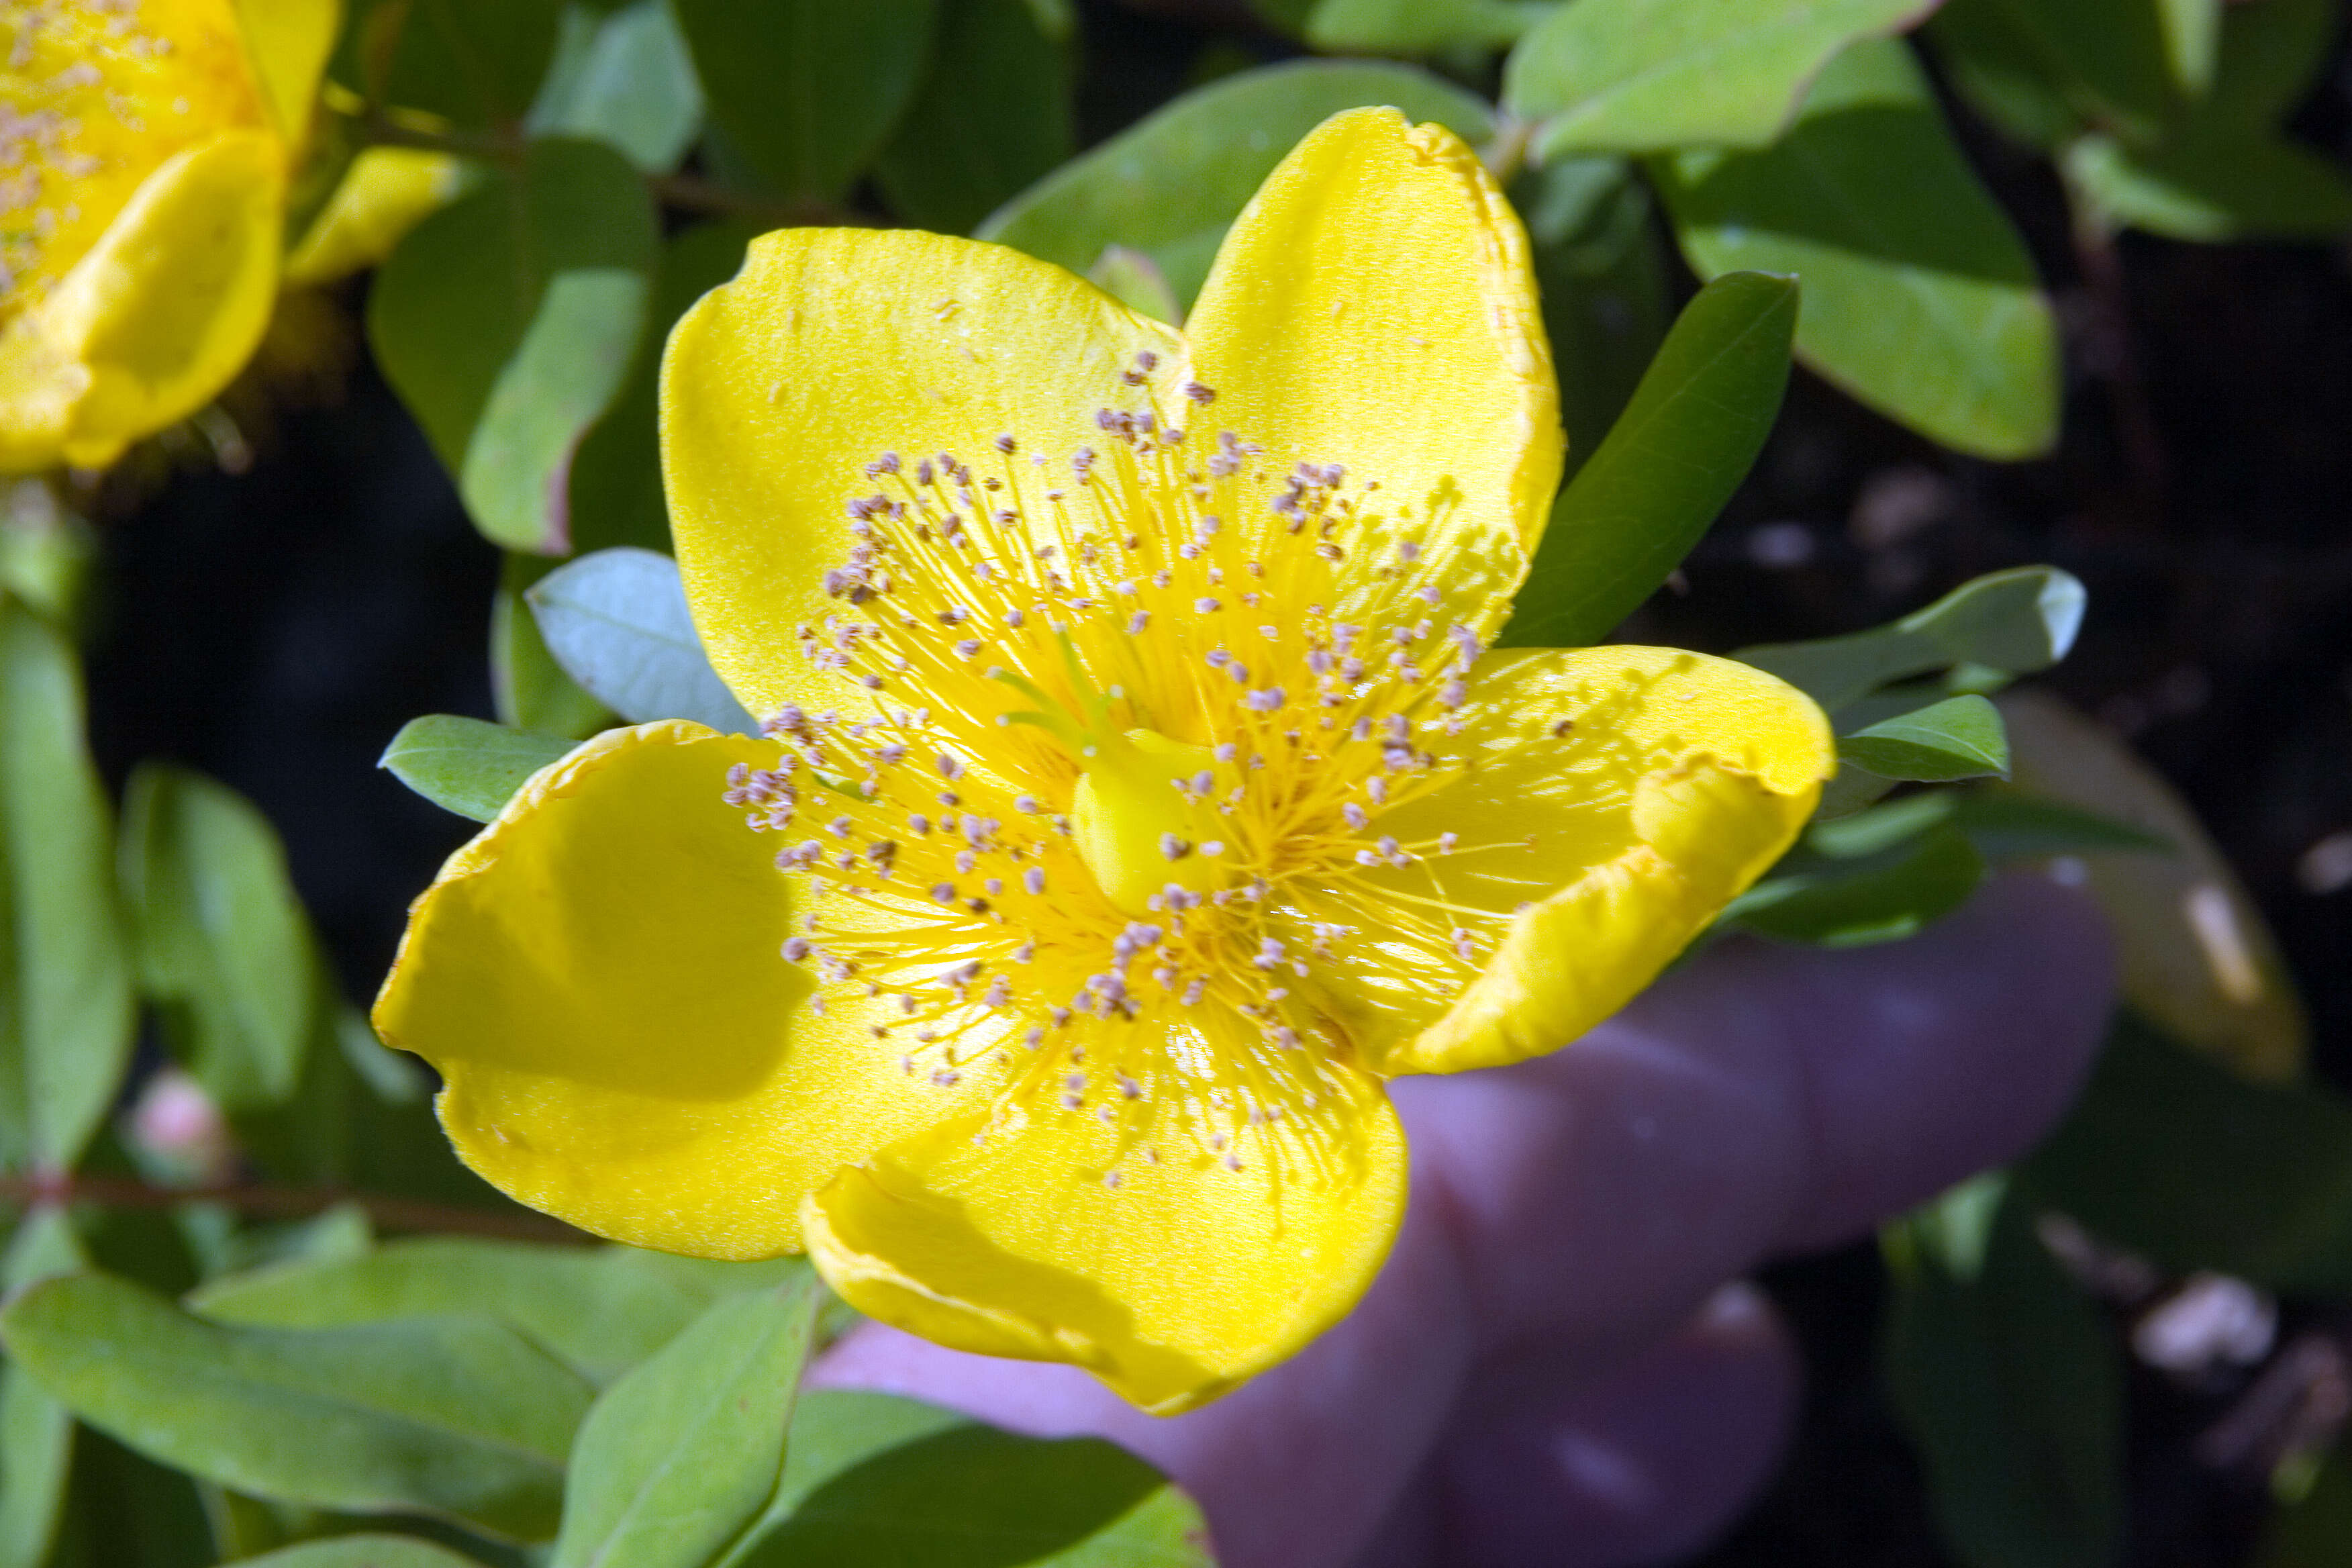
[{"x": 1652, "y": 76}]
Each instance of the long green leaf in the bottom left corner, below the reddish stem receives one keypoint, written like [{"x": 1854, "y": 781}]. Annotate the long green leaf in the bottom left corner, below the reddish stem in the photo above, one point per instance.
[{"x": 450, "y": 1416}]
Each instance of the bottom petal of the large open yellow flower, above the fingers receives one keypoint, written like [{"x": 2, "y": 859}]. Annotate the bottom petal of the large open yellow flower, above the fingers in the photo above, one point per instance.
[{"x": 1057, "y": 1238}]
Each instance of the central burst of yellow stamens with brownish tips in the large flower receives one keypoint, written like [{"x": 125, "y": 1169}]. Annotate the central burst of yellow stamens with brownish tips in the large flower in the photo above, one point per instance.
[{"x": 1111, "y": 786}]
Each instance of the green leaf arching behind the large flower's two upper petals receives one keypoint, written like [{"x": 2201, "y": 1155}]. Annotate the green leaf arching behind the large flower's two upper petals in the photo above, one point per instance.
[{"x": 1175, "y": 182}]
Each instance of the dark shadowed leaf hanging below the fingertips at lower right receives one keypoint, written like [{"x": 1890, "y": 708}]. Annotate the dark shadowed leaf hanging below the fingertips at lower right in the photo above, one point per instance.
[{"x": 2012, "y": 1388}]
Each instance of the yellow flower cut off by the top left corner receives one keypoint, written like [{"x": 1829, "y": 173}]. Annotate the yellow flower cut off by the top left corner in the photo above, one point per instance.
[{"x": 145, "y": 163}]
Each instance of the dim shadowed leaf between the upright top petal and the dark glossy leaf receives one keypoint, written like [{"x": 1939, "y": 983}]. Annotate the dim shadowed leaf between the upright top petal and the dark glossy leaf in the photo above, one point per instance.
[{"x": 1603, "y": 279}]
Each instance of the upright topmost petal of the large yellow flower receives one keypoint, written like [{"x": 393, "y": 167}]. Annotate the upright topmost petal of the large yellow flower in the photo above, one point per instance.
[{"x": 1375, "y": 307}]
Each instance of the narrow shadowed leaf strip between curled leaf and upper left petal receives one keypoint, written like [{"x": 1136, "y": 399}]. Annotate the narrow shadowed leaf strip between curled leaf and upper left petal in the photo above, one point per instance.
[{"x": 617, "y": 469}]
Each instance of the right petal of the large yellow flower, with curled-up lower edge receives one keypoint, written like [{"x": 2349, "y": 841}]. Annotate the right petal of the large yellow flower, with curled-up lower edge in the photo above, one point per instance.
[{"x": 1619, "y": 798}]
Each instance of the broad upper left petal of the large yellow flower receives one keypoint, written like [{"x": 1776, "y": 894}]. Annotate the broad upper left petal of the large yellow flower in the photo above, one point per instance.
[{"x": 829, "y": 349}]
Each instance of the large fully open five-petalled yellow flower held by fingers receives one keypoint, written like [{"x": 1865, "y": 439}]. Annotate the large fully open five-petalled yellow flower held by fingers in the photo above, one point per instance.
[{"x": 1140, "y": 782}]
